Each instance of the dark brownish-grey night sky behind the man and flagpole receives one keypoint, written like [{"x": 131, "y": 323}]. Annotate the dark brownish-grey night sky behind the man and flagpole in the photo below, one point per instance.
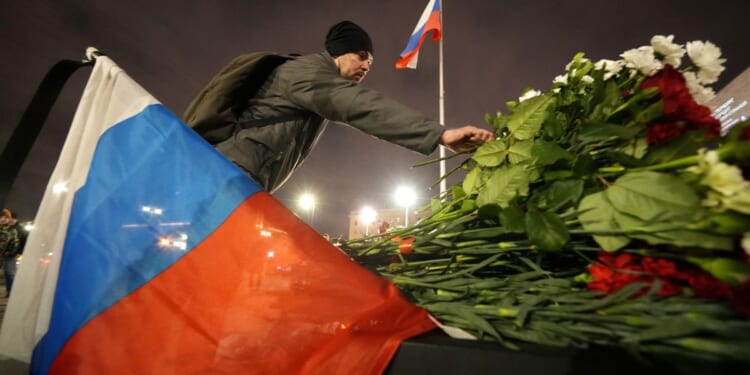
[{"x": 493, "y": 50}]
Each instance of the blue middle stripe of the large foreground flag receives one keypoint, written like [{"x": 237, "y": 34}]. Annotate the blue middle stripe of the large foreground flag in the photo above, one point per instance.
[{"x": 111, "y": 247}]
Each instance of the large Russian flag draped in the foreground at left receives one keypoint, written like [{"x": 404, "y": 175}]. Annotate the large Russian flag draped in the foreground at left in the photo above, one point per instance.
[{"x": 153, "y": 254}]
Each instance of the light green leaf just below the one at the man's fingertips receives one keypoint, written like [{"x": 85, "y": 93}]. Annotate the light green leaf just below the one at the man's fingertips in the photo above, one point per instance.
[{"x": 505, "y": 184}]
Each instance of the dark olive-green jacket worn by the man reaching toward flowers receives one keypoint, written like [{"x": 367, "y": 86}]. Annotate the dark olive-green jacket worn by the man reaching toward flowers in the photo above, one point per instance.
[{"x": 284, "y": 120}]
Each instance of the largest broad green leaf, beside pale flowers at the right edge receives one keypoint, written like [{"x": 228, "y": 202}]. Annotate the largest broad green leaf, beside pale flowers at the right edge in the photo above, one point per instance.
[{"x": 651, "y": 195}]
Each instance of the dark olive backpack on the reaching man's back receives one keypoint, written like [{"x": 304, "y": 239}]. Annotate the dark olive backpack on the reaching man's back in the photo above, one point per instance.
[{"x": 213, "y": 112}]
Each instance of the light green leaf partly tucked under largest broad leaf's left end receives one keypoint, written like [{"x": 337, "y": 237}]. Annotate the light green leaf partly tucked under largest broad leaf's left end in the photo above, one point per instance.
[{"x": 597, "y": 214}]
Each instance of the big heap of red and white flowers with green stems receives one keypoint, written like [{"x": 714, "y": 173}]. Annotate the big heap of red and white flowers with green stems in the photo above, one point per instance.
[{"x": 610, "y": 210}]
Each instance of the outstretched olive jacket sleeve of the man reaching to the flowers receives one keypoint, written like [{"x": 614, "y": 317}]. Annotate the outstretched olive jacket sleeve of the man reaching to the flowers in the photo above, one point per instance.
[{"x": 320, "y": 89}]
